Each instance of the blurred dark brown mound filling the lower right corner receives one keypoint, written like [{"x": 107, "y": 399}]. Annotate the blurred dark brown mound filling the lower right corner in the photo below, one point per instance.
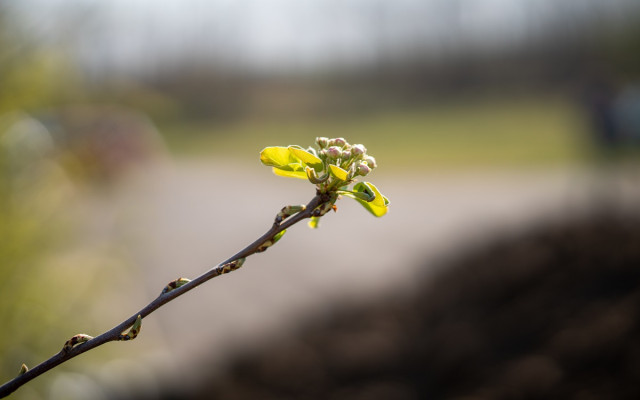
[{"x": 553, "y": 314}]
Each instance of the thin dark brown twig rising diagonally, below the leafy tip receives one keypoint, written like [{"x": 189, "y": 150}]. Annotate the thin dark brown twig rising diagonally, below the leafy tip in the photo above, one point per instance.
[{"x": 70, "y": 351}]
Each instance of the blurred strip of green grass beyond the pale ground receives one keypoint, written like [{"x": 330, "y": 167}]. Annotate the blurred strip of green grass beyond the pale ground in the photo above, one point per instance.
[{"x": 484, "y": 131}]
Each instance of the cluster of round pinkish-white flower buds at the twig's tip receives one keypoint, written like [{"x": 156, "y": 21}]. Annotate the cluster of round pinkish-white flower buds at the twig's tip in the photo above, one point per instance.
[{"x": 352, "y": 158}]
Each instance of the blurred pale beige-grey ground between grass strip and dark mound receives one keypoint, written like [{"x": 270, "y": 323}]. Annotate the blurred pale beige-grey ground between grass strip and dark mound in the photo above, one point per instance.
[{"x": 179, "y": 219}]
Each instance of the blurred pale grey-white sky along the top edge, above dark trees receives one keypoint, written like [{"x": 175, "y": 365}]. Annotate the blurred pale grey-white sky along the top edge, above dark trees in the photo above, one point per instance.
[{"x": 289, "y": 34}]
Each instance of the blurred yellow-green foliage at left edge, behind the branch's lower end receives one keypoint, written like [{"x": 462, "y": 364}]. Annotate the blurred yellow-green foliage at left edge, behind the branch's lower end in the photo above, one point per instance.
[{"x": 50, "y": 277}]
